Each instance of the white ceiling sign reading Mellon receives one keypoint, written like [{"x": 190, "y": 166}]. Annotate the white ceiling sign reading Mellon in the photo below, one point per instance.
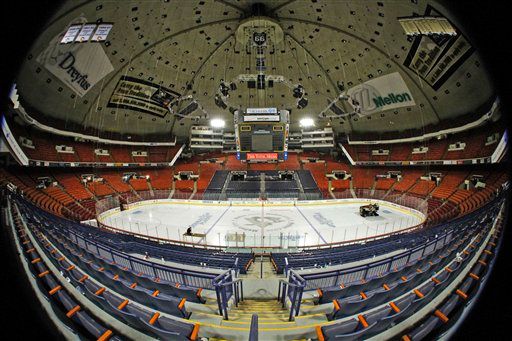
[{"x": 382, "y": 93}]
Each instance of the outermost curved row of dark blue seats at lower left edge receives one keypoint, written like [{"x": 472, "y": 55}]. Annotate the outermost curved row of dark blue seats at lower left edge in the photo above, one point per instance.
[{"x": 77, "y": 318}]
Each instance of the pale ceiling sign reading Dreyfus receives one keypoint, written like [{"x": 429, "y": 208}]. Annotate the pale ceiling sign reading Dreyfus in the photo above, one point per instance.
[{"x": 78, "y": 66}]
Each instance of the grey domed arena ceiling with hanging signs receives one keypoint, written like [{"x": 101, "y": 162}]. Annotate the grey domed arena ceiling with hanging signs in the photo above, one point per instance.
[{"x": 178, "y": 53}]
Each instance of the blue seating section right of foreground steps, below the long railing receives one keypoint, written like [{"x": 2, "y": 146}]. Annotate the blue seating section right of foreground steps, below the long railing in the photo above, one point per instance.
[{"x": 372, "y": 306}]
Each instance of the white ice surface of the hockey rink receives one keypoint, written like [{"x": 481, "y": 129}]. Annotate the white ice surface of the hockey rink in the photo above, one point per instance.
[{"x": 240, "y": 224}]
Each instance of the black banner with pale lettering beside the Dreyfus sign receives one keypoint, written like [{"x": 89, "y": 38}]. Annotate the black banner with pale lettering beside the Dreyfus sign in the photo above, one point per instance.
[{"x": 142, "y": 96}]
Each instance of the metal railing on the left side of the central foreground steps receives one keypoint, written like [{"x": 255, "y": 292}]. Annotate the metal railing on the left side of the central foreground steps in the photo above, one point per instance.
[{"x": 226, "y": 286}]
